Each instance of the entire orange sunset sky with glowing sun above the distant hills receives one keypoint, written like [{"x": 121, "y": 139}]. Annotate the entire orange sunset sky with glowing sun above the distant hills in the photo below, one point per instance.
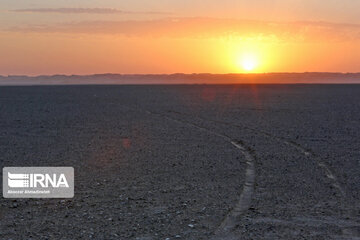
[{"x": 41, "y": 37}]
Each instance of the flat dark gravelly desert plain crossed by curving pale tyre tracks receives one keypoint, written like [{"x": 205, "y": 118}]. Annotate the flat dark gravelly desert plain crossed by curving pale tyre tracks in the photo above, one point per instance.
[{"x": 186, "y": 161}]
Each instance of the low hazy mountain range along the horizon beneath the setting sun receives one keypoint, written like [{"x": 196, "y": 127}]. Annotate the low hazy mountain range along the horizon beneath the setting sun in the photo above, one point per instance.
[{"x": 179, "y": 78}]
